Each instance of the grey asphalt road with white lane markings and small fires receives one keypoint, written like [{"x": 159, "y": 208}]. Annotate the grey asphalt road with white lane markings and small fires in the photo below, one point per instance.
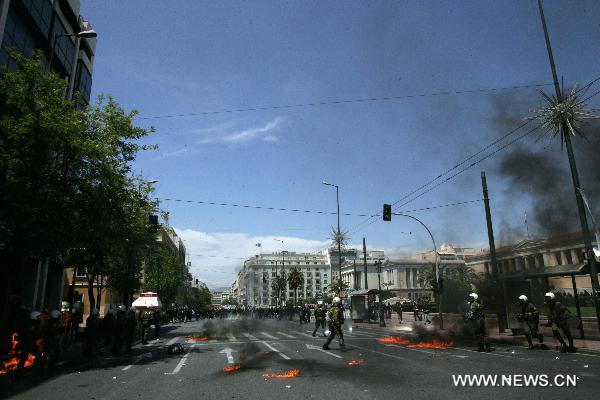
[{"x": 260, "y": 347}]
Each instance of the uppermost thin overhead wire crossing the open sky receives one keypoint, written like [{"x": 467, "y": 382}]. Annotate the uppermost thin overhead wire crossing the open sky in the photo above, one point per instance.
[{"x": 347, "y": 101}]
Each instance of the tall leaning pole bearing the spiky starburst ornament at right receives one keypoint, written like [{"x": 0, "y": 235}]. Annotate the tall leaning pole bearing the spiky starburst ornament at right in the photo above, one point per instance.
[{"x": 587, "y": 240}]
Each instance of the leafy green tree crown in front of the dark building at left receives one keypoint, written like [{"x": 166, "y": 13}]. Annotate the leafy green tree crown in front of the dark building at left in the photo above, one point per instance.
[{"x": 67, "y": 190}]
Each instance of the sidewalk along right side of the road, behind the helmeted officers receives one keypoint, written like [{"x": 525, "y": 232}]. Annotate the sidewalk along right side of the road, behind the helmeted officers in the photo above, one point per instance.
[{"x": 393, "y": 326}]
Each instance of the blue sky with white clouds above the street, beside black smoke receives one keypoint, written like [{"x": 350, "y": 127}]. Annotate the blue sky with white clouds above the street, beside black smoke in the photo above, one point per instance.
[{"x": 182, "y": 57}]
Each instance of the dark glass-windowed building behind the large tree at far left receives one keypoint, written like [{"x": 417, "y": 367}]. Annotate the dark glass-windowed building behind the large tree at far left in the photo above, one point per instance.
[{"x": 27, "y": 25}]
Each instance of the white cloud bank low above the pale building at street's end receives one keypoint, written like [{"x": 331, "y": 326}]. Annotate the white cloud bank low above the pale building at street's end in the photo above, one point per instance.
[{"x": 217, "y": 256}]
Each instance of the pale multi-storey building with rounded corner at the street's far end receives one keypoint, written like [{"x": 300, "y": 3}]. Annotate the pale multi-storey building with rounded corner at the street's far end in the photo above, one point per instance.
[{"x": 253, "y": 285}]
